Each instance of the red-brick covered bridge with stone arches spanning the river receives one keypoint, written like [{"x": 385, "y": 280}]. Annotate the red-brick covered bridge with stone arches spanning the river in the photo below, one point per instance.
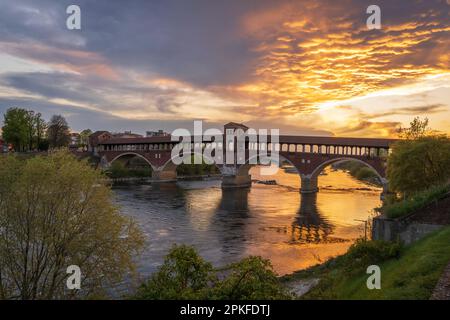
[{"x": 308, "y": 154}]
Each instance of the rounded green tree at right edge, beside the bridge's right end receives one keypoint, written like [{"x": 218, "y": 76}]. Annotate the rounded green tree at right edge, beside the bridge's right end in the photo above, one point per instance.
[{"x": 416, "y": 165}]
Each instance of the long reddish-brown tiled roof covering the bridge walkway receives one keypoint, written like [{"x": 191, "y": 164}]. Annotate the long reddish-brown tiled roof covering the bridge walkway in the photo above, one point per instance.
[{"x": 338, "y": 141}]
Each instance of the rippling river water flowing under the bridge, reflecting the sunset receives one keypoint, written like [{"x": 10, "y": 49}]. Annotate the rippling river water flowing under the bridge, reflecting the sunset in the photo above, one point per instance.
[{"x": 273, "y": 221}]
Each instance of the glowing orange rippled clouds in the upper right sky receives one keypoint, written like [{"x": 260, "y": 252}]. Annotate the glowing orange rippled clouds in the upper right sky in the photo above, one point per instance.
[{"x": 312, "y": 55}]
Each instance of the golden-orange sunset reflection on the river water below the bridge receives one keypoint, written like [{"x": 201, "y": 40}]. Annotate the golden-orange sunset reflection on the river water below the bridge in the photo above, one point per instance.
[{"x": 272, "y": 222}]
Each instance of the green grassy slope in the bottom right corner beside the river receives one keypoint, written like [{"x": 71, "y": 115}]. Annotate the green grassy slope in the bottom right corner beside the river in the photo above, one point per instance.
[{"x": 406, "y": 272}]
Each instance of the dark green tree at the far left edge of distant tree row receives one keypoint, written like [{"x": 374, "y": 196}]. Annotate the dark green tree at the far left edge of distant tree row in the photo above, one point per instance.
[{"x": 16, "y": 128}]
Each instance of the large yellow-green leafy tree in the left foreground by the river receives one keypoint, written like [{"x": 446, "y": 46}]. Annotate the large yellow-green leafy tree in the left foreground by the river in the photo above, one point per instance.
[{"x": 56, "y": 211}]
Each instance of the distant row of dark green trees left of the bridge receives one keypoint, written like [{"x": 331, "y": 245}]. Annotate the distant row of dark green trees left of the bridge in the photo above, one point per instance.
[{"x": 26, "y": 130}]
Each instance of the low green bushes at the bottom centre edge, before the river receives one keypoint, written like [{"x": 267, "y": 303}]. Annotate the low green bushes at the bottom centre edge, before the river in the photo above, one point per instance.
[{"x": 185, "y": 275}]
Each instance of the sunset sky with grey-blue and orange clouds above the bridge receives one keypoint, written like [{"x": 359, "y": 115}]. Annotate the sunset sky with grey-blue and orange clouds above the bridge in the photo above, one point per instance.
[{"x": 304, "y": 67}]
